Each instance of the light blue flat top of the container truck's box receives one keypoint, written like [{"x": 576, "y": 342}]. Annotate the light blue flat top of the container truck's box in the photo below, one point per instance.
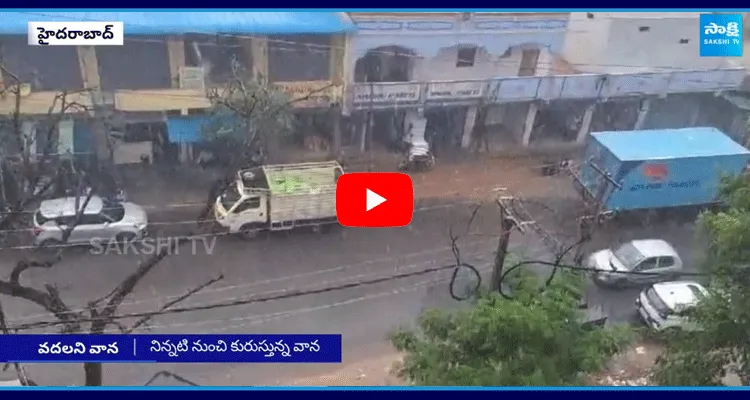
[{"x": 668, "y": 143}]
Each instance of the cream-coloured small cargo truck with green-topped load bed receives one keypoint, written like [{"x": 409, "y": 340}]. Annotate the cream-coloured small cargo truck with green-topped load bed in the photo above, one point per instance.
[{"x": 280, "y": 197}]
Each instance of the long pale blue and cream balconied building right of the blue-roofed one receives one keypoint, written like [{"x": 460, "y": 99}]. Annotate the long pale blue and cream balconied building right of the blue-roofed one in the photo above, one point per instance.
[{"x": 594, "y": 73}]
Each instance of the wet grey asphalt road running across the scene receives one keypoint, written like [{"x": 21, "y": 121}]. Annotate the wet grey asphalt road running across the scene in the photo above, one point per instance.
[{"x": 303, "y": 261}]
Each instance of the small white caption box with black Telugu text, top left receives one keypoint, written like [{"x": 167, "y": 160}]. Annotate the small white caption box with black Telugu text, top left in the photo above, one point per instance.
[{"x": 76, "y": 33}]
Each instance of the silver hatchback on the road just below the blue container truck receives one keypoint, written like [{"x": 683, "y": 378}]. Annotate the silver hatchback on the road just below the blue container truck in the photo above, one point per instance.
[{"x": 655, "y": 258}]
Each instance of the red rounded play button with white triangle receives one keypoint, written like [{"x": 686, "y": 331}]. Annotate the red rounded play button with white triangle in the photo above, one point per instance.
[{"x": 374, "y": 200}]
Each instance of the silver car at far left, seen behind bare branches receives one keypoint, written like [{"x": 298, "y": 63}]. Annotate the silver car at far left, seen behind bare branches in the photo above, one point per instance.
[{"x": 101, "y": 221}]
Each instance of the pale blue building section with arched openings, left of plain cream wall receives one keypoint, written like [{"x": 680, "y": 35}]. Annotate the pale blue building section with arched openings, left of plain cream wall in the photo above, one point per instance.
[{"x": 455, "y": 52}]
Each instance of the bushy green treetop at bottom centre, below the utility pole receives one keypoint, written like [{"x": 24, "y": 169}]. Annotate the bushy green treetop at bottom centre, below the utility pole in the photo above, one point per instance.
[{"x": 538, "y": 338}]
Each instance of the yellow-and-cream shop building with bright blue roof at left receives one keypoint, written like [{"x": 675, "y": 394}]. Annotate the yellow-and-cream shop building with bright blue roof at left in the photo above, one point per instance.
[{"x": 156, "y": 84}]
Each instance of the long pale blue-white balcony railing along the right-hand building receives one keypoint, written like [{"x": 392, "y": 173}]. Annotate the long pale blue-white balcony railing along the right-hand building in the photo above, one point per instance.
[{"x": 593, "y": 87}]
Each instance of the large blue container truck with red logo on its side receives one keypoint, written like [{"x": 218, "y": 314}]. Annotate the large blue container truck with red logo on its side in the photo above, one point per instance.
[{"x": 658, "y": 169}]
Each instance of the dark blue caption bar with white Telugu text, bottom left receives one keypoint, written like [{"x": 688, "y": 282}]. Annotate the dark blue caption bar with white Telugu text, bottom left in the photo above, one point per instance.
[{"x": 189, "y": 348}]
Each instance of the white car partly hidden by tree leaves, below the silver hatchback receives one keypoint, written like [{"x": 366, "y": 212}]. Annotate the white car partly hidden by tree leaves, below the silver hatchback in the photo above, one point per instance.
[{"x": 661, "y": 305}]
